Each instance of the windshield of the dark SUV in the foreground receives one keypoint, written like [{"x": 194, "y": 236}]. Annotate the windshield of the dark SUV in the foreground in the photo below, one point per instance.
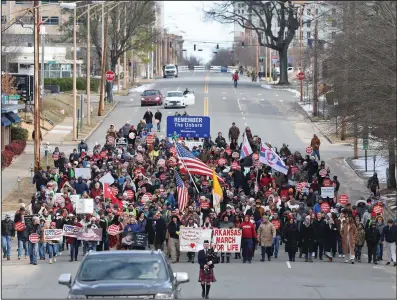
[{"x": 122, "y": 268}]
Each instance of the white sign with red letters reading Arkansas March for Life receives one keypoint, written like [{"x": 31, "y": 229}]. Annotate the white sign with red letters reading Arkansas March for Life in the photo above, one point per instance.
[{"x": 227, "y": 240}]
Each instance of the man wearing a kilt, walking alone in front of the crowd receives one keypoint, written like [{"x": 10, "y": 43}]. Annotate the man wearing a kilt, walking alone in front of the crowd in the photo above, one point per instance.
[{"x": 206, "y": 259}]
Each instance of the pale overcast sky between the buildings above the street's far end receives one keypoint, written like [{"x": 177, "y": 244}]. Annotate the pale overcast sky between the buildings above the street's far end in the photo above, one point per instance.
[{"x": 186, "y": 18}]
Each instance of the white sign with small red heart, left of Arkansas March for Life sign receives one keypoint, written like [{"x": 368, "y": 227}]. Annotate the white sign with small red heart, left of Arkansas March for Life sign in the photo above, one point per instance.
[{"x": 192, "y": 239}]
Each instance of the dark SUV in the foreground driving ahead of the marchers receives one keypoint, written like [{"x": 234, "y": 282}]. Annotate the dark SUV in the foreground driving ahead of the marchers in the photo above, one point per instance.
[{"x": 127, "y": 274}]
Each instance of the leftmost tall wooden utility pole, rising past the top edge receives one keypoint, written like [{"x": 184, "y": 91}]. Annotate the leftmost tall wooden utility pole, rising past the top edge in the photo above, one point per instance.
[{"x": 37, "y": 134}]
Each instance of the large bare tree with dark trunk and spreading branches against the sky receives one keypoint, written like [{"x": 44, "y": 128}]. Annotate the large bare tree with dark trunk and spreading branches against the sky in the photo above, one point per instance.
[{"x": 263, "y": 17}]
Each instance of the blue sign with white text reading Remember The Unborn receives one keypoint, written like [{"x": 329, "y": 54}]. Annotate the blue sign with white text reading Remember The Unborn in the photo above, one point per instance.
[{"x": 188, "y": 126}]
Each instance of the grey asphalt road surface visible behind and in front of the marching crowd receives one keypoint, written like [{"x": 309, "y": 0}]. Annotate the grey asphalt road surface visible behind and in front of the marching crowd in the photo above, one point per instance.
[{"x": 274, "y": 115}]
